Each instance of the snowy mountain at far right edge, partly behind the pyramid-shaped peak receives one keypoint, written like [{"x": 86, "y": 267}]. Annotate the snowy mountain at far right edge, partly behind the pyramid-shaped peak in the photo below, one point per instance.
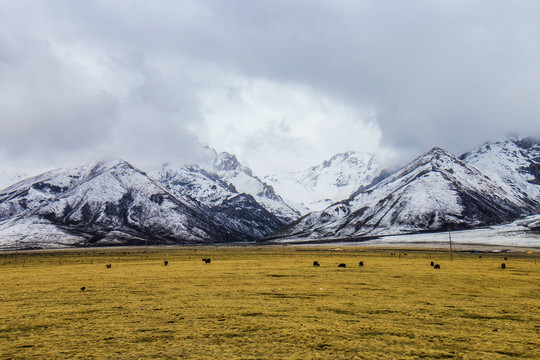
[{"x": 513, "y": 163}]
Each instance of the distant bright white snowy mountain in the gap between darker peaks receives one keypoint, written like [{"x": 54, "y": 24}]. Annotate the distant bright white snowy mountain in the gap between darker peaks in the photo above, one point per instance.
[{"x": 324, "y": 184}]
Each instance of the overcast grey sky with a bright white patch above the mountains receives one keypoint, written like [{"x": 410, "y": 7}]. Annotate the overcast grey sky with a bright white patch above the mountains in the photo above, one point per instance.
[{"x": 282, "y": 84}]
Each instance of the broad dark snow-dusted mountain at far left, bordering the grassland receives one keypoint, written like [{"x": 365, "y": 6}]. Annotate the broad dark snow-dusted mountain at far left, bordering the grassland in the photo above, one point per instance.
[{"x": 108, "y": 203}]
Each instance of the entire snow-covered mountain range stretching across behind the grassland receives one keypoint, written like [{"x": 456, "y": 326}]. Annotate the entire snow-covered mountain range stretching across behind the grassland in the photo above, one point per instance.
[{"x": 348, "y": 196}]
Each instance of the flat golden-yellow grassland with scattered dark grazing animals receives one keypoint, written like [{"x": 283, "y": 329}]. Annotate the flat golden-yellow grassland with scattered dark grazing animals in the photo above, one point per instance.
[{"x": 268, "y": 303}]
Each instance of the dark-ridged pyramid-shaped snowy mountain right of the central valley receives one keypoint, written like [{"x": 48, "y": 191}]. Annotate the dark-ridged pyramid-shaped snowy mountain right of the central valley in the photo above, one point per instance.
[{"x": 434, "y": 191}]
